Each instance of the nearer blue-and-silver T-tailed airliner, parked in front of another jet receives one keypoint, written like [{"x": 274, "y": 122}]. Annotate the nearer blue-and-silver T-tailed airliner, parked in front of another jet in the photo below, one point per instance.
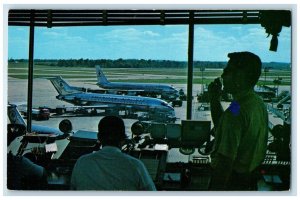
[{"x": 156, "y": 108}]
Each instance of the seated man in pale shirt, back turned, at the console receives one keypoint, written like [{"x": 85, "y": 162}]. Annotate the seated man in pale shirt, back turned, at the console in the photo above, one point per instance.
[{"x": 109, "y": 168}]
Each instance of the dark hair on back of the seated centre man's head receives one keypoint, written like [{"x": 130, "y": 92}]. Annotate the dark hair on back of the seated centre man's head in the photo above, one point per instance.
[{"x": 111, "y": 131}]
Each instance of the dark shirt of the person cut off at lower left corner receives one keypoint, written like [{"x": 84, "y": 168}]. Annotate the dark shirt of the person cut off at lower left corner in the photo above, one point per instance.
[{"x": 20, "y": 169}]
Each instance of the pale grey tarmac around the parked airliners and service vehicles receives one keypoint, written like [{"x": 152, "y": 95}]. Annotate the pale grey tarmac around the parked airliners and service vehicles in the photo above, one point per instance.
[{"x": 44, "y": 94}]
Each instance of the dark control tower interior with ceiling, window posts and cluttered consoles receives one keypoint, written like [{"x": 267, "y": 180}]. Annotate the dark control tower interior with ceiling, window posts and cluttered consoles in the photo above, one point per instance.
[{"x": 177, "y": 155}]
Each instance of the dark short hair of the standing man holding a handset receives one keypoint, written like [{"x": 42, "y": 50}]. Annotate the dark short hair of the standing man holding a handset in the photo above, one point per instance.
[{"x": 249, "y": 63}]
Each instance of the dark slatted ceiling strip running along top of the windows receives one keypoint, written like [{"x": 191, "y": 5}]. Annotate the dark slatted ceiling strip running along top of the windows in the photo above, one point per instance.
[{"x": 55, "y": 18}]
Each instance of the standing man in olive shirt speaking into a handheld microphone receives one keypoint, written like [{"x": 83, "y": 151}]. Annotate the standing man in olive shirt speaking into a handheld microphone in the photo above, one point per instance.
[{"x": 241, "y": 131}]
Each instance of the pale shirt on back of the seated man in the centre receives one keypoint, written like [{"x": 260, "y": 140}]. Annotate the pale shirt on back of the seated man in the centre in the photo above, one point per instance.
[{"x": 110, "y": 169}]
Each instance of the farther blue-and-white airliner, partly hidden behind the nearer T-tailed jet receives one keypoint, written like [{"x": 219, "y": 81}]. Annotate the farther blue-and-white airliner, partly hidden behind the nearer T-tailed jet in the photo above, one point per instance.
[{"x": 166, "y": 92}]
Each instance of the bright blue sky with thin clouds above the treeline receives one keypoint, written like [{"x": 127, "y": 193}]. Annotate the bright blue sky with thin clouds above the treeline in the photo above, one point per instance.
[{"x": 211, "y": 42}]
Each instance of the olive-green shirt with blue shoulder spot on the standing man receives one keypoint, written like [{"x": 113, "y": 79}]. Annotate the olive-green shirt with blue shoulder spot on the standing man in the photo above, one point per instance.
[{"x": 242, "y": 133}]
